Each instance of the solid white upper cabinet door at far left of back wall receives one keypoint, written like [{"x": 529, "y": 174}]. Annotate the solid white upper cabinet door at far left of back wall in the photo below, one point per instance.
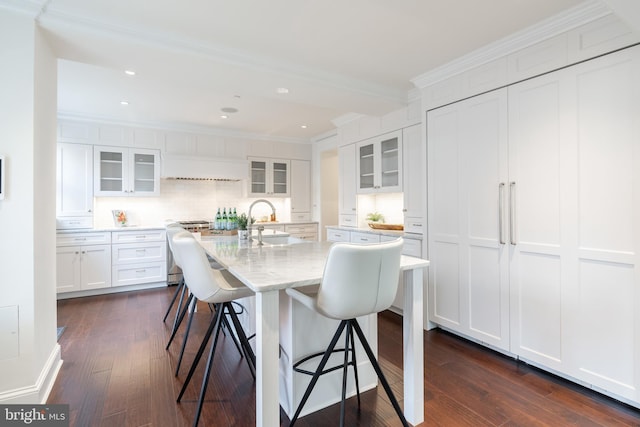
[{"x": 74, "y": 184}]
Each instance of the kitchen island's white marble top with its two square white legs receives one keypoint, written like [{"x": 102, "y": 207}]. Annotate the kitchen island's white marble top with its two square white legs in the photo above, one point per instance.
[{"x": 269, "y": 269}]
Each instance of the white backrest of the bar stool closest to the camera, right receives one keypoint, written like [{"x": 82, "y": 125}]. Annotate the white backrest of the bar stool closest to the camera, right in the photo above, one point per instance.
[{"x": 359, "y": 279}]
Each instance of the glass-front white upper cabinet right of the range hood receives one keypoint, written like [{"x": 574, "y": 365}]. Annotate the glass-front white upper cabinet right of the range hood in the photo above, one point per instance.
[{"x": 269, "y": 177}]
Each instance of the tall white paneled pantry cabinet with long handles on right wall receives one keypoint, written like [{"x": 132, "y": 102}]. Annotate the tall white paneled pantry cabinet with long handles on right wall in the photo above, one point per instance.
[{"x": 534, "y": 208}]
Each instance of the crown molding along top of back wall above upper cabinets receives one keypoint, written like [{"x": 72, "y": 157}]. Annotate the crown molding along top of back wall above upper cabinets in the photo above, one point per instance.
[{"x": 181, "y": 127}]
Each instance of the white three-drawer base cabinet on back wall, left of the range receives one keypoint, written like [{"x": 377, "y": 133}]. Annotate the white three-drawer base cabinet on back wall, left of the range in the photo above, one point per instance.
[{"x": 139, "y": 257}]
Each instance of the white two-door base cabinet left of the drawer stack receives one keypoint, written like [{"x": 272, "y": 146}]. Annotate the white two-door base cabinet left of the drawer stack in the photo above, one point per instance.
[{"x": 83, "y": 261}]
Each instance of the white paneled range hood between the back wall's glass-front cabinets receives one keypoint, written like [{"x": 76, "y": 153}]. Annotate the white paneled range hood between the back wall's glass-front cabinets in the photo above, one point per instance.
[{"x": 176, "y": 166}]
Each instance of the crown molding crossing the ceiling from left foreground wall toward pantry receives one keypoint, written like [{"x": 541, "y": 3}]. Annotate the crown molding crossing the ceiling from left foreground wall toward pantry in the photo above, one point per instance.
[{"x": 54, "y": 18}]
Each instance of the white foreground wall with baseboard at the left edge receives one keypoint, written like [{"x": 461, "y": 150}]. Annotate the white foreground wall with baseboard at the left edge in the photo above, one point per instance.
[{"x": 30, "y": 354}]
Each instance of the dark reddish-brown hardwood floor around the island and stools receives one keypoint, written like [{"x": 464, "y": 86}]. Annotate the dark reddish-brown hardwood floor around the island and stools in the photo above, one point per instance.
[{"x": 116, "y": 372}]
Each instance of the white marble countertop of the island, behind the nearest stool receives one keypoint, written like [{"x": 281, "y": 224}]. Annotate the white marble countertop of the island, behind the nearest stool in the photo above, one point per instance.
[{"x": 270, "y": 267}]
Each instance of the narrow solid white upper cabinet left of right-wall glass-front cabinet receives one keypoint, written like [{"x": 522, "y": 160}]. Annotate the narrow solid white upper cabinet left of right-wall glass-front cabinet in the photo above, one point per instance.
[{"x": 347, "y": 195}]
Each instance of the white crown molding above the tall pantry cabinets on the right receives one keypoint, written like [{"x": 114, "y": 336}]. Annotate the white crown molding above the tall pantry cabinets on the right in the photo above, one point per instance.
[{"x": 563, "y": 22}]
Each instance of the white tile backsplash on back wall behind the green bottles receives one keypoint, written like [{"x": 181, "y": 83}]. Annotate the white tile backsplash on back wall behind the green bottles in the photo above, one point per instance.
[{"x": 186, "y": 200}]
